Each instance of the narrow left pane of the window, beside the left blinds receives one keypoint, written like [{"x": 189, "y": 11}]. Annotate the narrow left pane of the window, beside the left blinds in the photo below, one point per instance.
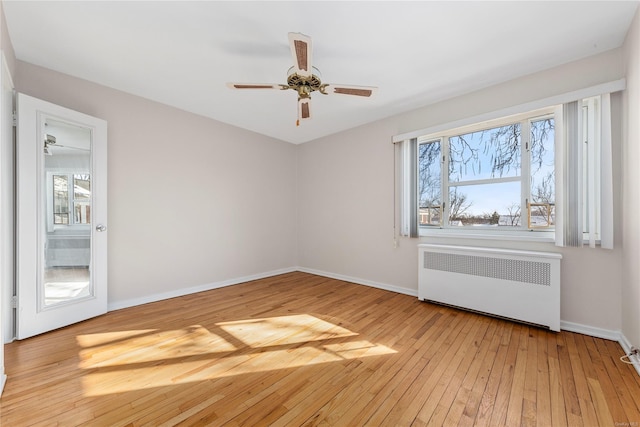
[{"x": 430, "y": 183}]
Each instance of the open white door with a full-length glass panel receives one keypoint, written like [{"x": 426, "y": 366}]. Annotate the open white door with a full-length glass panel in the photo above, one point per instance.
[{"x": 61, "y": 216}]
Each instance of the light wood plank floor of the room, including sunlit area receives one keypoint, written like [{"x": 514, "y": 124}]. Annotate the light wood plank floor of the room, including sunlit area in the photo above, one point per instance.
[{"x": 299, "y": 349}]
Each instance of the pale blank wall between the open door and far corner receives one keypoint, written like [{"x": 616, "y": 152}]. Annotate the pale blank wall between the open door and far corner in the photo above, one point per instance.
[{"x": 192, "y": 202}]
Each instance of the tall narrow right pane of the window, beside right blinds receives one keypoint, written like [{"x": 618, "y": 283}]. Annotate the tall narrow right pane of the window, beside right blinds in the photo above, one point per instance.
[{"x": 543, "y": 191}]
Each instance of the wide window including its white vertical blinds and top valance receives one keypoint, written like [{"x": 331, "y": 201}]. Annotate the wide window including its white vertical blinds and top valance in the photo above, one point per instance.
[{"x": 544, "y": 175}]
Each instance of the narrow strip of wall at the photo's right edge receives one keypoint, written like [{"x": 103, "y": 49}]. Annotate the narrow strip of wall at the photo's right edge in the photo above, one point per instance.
[{"x": 631, "y": 252}]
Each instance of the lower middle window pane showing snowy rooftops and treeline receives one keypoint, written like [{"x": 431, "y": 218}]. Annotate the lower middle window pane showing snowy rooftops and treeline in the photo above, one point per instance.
[{"x": 495, "y": 205}]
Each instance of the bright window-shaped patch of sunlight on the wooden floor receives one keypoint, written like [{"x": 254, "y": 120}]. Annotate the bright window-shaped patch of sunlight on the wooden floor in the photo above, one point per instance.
[{"x": 141, "y": 359}]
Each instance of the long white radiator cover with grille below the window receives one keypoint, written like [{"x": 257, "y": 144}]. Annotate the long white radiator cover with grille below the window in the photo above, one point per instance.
[{"x": 518, "y": 285}]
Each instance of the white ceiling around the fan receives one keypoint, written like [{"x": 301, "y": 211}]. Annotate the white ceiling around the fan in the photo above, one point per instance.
[{"x": 418, "y": 52}]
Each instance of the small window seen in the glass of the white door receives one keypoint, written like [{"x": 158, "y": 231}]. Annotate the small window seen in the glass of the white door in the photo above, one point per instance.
[{"x": 71, "y": 198}]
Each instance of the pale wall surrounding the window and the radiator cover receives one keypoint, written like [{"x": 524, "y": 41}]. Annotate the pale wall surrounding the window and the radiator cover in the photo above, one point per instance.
[{"x": 346, "y": 197}]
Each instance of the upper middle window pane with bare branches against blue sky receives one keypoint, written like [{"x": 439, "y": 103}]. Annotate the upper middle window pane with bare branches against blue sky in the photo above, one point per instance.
[{"x": 492, "y": 153}]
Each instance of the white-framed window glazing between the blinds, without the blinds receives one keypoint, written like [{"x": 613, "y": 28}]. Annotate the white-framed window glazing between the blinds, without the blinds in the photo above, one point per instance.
[{"x": 494, "y": 175}]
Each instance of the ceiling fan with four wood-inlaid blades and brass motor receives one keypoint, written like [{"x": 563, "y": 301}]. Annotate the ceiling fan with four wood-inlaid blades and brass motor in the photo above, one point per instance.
[{"x": 305, "y": 78}]
